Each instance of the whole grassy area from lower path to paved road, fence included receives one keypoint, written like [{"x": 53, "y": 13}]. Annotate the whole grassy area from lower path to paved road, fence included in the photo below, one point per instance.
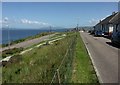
[{"x": 40, "y": 64}]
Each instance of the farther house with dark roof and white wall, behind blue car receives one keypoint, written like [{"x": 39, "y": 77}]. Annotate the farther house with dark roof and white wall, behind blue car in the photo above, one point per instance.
[{"x": 105, "y": 26}]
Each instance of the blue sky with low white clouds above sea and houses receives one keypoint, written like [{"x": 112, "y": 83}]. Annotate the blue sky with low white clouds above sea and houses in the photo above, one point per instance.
[{"x": 57, "y": 14}]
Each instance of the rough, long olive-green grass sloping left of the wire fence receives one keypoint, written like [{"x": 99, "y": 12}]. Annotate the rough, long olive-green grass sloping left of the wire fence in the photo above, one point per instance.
[{"x": 38, "y": 65}]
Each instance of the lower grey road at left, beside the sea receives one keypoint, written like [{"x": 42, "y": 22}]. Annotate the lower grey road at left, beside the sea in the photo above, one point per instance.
[{"x": 28, "y": 43}]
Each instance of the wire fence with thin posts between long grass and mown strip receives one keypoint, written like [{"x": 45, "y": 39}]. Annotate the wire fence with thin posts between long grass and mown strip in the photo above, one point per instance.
[{"x": 64, "y": 71}]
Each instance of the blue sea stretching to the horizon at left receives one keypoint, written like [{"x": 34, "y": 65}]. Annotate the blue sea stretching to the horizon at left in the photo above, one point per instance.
[{"x": 16, "y": 34}]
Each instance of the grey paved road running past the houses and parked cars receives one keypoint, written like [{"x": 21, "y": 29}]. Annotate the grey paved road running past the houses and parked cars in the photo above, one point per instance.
[{"x": 104, "y": 56}]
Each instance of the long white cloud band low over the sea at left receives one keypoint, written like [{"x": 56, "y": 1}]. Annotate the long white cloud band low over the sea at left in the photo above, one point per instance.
[{"x": 23, "y": 23}]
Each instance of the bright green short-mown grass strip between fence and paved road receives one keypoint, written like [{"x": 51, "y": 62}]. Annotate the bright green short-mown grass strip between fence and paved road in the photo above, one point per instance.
[{"x": 83, "y": 71}]
